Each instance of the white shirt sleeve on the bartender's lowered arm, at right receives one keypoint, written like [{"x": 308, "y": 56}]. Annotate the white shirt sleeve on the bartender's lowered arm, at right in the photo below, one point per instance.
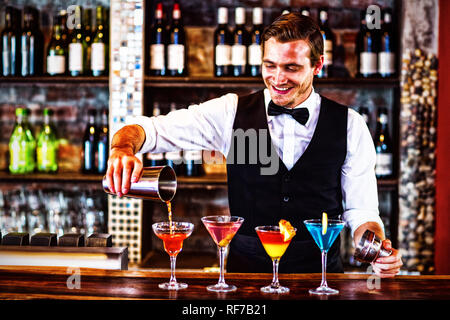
[{"x": 358, "y": 180}]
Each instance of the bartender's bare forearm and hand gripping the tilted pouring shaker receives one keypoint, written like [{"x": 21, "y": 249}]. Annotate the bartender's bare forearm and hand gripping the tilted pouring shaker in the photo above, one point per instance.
[{"x": 123, "y": 166}]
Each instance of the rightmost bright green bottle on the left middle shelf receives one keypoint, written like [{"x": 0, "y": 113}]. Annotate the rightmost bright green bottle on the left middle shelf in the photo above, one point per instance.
[{"x": 47, "y": 146}]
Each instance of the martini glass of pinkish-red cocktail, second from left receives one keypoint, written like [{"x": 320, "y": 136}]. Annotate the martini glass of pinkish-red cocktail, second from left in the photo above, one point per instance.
[{"x": 222, "y": 229}]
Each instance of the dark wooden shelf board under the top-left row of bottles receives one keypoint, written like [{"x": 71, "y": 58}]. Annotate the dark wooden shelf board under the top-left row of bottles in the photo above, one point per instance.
[{"x": 55, "y": 80}]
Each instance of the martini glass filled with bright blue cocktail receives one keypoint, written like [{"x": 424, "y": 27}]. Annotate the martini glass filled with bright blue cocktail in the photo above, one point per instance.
[{"x": 324, "y": 241}]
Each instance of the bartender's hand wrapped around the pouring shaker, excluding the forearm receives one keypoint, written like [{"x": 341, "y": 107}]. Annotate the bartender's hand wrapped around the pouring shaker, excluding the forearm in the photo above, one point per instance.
[{"x": 123, "y": 168}]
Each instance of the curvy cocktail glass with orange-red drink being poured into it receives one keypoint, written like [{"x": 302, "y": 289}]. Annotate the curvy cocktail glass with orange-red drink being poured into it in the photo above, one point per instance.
[{"x": 172, "y": 234}]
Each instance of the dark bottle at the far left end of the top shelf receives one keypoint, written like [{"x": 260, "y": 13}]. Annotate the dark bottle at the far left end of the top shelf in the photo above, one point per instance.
[{"x": 10, "y": 44}]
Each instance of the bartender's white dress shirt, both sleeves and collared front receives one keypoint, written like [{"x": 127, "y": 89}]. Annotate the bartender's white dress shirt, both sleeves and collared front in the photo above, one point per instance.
[{"x": 209, "y": 126}]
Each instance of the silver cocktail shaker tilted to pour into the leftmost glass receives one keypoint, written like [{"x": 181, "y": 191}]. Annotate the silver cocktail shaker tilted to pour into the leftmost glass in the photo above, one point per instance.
[{"x": 156, "y": 183}]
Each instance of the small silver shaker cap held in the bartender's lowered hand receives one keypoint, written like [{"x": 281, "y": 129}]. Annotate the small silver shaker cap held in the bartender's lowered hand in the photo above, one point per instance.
[{"x": 369, "y": 248}]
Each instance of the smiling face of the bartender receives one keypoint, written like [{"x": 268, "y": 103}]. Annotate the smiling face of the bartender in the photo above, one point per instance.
[{"x": 287, "y": 71}]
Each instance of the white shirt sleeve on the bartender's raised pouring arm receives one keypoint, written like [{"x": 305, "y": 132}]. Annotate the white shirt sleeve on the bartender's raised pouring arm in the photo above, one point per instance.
[{"x": 204, "y": 126}]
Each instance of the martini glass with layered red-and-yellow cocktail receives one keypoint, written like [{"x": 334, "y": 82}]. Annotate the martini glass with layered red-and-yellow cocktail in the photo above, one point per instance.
[{"x": 273, "y": 242}]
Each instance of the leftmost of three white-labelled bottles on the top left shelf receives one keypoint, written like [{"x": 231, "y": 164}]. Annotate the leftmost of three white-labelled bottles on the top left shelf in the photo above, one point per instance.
[{"x": 56, "y": 52}]
